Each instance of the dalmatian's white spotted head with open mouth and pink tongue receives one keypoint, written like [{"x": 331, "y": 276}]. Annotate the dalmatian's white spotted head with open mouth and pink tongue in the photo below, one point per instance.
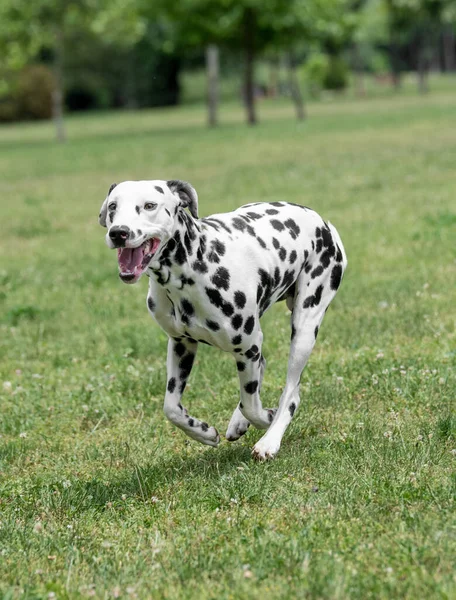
[{"x": 140, "y": 218}]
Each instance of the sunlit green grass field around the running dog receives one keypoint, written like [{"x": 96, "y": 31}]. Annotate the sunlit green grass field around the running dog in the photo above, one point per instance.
[{"x": 101, "y": 497}]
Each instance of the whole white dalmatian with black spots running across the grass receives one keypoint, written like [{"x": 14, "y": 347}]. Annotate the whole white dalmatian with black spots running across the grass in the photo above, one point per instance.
[{"x": 211, "y": 280}]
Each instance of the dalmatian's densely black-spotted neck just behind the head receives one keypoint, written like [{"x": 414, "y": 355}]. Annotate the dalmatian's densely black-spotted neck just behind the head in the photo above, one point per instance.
[{"x": 185, "y": 244}]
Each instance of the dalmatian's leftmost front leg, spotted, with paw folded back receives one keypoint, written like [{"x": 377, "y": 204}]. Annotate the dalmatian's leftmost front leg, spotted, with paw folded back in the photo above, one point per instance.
[{"x": 181, "y": 354}]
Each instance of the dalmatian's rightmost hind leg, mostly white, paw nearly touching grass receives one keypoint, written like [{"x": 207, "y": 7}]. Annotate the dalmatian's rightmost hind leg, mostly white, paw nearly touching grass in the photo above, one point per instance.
[{"x": 311, "y": 302}]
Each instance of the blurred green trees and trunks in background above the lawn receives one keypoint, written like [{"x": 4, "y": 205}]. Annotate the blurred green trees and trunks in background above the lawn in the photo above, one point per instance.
[{"x": 73, "y": 55}]
